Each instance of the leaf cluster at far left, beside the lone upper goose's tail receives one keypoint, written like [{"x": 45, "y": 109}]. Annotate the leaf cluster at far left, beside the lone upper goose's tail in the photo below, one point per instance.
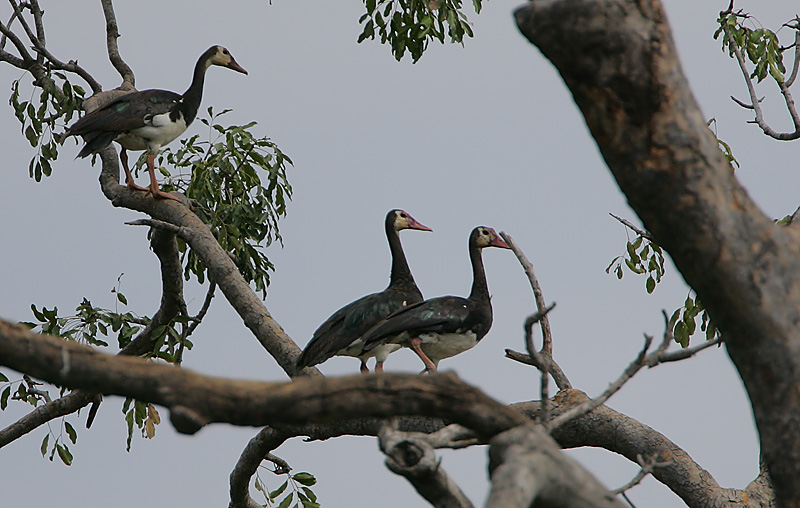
[{"x": 58, "y": 101}]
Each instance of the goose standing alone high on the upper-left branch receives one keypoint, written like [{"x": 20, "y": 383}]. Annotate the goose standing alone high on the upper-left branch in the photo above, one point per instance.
[{"x": 148, "y": 120}]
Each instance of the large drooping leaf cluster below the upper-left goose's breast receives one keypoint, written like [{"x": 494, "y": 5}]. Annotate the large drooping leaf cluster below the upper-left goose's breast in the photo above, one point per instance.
[{"x": 239, "y": 181}]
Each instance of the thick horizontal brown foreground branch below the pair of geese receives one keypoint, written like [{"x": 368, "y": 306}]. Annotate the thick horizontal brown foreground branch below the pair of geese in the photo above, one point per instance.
[{"x": 195, "y": 400}]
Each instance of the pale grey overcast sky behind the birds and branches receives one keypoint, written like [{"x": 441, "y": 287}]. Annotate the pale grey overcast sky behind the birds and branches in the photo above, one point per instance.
[{"x": 484, "y": 134}]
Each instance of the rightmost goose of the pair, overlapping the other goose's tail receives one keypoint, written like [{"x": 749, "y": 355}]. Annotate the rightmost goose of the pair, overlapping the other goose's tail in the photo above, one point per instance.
[{"x": 446, "y": 326}]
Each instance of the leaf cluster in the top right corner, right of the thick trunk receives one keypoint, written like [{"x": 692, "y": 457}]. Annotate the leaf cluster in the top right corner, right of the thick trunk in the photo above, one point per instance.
[{"x": 759, "y": 45}]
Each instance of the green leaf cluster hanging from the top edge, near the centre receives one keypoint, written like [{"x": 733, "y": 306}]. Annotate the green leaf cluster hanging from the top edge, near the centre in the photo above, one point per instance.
[{"x": 408, "y": 25}]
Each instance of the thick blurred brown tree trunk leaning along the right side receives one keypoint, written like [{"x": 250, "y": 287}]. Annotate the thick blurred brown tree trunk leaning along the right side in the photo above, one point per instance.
[{"x": 619, "y": 61}]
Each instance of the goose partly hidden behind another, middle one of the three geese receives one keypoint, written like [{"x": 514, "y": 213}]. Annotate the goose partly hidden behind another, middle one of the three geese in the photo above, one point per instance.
[{"x": 339, "y": 334}]
